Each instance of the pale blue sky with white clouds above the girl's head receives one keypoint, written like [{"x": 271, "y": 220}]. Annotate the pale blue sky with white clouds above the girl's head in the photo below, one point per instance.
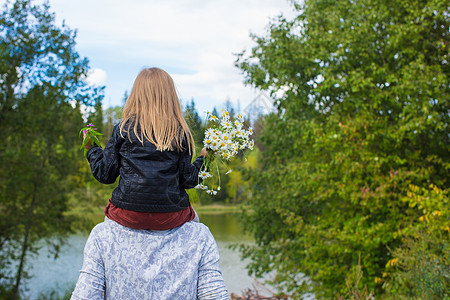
[{"x": 195, "y": 41}]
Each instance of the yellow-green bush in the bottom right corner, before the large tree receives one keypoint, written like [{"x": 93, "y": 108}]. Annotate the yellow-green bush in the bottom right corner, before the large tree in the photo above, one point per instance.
[{"x": 421, "y": 268}]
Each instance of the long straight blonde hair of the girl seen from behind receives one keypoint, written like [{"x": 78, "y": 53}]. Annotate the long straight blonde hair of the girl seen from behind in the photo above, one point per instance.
[{"x": 153, "y": 105}]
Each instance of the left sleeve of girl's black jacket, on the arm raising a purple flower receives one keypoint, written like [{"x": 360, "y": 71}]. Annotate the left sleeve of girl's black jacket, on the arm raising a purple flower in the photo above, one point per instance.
[{"x": 105, "y": 163}]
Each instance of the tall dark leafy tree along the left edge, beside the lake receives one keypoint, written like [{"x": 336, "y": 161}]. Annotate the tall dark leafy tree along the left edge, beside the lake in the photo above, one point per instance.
[{"x": 42, "y": 90}]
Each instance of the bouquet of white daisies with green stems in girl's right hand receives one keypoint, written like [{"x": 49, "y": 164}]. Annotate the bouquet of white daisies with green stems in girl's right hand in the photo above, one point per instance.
[{"x": 223, "y": 140}]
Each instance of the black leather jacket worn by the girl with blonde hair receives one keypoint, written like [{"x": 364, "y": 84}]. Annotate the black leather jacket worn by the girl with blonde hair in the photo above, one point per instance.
[{"x": 150, "y": 180}]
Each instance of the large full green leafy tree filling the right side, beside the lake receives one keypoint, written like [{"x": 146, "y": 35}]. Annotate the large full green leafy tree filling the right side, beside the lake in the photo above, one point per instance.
[{"x": 361, "y": 133}]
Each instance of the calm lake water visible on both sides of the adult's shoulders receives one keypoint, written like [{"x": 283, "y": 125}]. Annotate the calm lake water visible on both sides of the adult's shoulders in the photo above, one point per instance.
[{"x": 49, "y": 274}]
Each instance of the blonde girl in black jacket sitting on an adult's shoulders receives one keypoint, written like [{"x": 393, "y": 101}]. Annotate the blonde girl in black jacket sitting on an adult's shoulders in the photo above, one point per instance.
[{"x": 151, "y": 149}]
